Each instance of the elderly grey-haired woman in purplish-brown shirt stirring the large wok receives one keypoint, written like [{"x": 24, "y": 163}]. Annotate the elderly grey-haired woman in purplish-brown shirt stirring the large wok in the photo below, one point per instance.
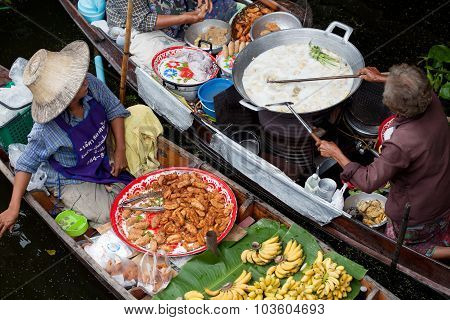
[{"x": 415, "y": 159}]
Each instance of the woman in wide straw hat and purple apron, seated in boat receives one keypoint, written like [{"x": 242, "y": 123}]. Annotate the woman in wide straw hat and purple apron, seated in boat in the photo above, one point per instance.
[{"x": 73, "y": 113}]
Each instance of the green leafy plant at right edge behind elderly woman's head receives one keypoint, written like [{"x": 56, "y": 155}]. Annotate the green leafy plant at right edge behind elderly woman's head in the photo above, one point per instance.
[{"x": 436, "y": 65}]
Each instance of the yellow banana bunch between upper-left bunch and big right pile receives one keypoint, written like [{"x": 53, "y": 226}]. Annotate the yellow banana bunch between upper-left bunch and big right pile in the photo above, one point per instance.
[{"x": 290, "y": 262}]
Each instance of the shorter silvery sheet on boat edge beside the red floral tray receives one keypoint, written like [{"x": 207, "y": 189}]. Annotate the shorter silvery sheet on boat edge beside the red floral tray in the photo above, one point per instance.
[{"x": 165, "y": 104}]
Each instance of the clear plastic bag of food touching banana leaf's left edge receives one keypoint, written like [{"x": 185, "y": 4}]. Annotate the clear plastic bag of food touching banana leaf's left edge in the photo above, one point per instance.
[{"x": 154, "y": 272}]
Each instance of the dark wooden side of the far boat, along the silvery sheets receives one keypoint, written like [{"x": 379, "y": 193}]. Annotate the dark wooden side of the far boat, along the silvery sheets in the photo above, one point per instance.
[{"x": 432, "y": 273}]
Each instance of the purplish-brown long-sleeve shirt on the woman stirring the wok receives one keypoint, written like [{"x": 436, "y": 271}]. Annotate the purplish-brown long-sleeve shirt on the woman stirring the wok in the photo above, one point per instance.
[{"x": 416, "y": 160}]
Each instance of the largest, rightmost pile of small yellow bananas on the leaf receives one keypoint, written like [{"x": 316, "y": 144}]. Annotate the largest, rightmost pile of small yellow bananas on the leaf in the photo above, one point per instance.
[{"x": 326, "y": 279}]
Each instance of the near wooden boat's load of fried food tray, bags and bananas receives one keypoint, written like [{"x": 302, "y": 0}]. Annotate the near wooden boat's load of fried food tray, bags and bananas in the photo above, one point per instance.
[{"x": 185, "y": 218}]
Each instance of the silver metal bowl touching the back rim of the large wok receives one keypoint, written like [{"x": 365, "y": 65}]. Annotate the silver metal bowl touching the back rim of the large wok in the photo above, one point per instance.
[{"x": 284, "y": 20}]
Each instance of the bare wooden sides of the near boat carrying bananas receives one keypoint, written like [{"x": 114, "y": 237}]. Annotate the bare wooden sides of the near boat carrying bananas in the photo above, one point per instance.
[{"x": 169, "y": 155}]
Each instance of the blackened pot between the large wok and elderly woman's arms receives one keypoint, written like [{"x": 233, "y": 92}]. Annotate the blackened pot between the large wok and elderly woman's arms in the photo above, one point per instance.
[{"x": 367, "y": 104}]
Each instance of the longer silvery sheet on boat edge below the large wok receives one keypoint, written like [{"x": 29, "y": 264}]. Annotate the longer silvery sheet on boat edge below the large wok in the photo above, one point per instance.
[{"x": 274, "y": 180}]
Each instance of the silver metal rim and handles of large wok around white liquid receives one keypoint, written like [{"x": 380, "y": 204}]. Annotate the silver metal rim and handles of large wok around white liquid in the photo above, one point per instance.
[{"x": 324, "y": 38}]
